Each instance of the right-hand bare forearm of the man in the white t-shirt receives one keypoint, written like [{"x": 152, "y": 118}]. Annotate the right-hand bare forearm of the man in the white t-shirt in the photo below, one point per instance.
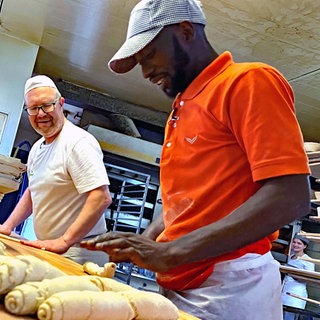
[{"x": 97, "y": 202}]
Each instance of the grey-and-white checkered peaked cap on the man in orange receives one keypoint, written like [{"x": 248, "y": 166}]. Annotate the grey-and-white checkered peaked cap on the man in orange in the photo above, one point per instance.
[{"x": 147, "y": 19}]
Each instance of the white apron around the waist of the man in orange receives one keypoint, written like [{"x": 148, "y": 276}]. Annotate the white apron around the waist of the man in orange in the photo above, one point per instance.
[{"x": 246, "y": 288}]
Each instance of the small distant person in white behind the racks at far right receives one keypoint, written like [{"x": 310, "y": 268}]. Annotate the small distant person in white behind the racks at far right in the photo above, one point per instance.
[{"x": 292, "y": 285}]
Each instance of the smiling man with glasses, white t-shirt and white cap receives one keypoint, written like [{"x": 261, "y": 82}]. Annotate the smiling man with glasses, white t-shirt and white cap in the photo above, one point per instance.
[{"x": 68, "y": 184}]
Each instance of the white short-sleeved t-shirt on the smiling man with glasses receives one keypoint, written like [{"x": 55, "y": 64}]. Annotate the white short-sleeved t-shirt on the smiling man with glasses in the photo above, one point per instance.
[{"x": 60, "y": 174}]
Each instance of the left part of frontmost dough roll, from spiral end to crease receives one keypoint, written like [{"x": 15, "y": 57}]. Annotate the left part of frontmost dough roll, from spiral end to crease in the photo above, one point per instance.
[{"x": 84, "y": 305}]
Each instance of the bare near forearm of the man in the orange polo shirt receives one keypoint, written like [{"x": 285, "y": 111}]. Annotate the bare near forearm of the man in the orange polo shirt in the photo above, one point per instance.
[{"x": 277, "y": 203}]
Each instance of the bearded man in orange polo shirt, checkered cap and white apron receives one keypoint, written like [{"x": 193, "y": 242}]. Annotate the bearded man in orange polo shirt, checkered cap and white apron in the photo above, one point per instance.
[{"x": 233, "y": 169}]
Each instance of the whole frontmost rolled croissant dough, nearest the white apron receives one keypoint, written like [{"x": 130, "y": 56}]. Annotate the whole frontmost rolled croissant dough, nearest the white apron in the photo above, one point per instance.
[{"x": 83, "y": 305}]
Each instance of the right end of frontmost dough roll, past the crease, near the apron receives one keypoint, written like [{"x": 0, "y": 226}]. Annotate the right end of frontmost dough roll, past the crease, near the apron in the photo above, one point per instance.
[{"x": 151, "y": 305}]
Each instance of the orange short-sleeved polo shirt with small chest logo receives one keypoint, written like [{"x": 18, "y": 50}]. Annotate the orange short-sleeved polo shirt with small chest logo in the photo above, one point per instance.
[{"x": 232, "y": 127}]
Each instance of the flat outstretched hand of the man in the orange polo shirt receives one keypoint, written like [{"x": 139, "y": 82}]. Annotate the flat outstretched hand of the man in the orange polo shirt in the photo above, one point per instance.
[{"x": 131, "y": 247}]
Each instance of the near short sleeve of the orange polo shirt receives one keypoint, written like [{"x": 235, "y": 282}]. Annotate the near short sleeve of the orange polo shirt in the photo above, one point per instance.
[{"x": 262, "y": 118}]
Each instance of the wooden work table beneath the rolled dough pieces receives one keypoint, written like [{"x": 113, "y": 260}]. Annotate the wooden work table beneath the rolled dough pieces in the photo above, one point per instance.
[{"x": 14, "y": 248}]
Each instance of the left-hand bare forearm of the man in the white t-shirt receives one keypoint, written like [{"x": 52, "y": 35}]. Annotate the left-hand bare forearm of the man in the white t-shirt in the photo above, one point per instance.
[{"x": 21, "y": 212}]
